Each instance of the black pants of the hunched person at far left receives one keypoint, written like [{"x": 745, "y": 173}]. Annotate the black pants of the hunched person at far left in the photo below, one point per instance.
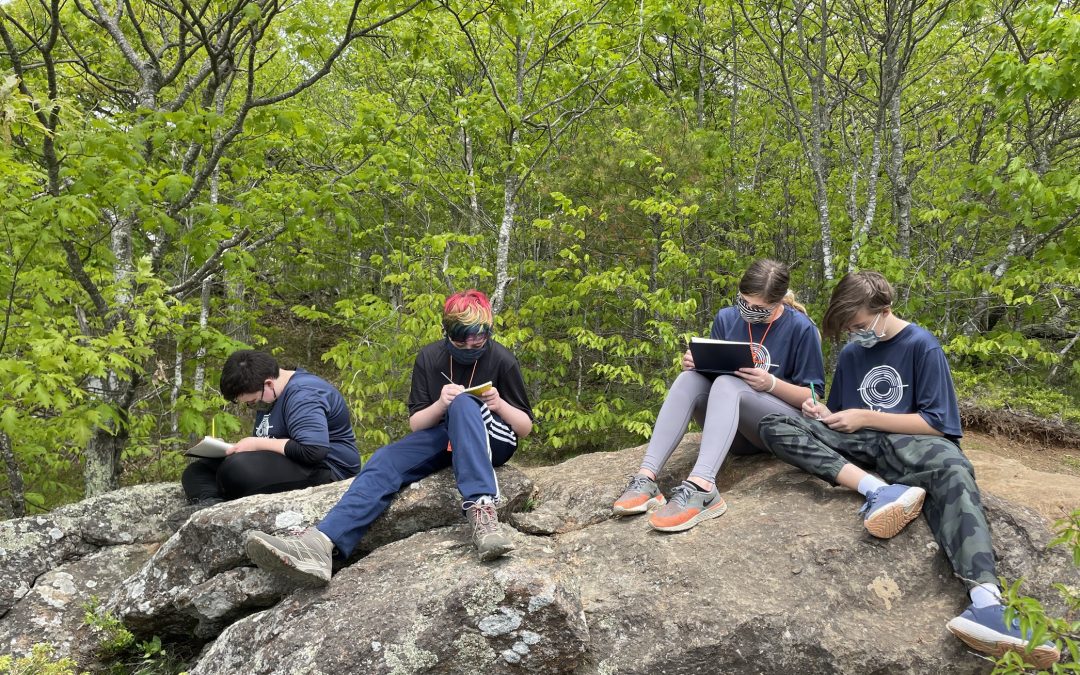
[{"x": 260, "y": 472}]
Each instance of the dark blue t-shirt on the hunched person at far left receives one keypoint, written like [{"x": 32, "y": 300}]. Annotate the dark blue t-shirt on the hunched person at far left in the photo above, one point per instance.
[{"x": 313, "y": 412}]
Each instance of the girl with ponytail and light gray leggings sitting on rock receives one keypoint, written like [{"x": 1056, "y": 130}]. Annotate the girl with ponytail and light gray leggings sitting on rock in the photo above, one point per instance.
[{"x": 787, "y": 350}]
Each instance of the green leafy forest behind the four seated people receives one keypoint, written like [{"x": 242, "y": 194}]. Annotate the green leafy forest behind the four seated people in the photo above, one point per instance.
[{"x": 180, "y": 179}]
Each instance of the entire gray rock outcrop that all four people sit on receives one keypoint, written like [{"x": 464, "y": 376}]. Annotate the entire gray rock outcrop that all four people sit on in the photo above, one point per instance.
[{"x": 786, "y": 582}]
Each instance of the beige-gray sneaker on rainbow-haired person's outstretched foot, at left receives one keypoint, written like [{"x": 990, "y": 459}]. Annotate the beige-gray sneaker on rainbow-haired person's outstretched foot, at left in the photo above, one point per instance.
[{"x": 304, "y": 559}]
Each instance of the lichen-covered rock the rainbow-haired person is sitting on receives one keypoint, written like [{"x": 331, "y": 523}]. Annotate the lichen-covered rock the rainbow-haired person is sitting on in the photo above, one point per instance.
[{"x": 200, "y": 580}]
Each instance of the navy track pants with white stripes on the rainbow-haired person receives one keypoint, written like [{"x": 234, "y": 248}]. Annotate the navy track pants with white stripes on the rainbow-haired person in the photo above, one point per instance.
[{"x": 480, "y": 441}]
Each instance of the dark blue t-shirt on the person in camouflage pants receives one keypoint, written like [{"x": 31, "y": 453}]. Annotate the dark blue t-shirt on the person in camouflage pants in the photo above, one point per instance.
[{"x": 903, "y": 375}]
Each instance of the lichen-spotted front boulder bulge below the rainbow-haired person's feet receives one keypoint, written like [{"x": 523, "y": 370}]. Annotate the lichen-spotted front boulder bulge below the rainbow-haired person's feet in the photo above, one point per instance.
[{"x": 423, "y": 605}]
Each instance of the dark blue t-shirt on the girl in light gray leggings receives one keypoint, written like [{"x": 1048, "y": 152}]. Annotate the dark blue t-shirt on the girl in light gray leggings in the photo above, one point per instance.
[{"x": 792, "y": 344}]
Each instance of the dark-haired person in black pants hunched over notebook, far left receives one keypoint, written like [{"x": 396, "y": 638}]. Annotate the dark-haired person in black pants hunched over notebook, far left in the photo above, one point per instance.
[{"x": 303, "y": 435}]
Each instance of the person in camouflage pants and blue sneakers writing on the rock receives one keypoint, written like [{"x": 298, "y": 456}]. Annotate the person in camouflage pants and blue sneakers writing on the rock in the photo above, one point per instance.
[{"x": 893, "y": 410}]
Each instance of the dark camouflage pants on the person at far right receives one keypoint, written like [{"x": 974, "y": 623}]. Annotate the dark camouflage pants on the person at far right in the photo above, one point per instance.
[{"x": 953, "y": 508}]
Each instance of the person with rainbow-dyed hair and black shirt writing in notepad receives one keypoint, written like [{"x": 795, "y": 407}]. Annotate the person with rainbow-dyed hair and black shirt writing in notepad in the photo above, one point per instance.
[{"x": 472, "y": 434}]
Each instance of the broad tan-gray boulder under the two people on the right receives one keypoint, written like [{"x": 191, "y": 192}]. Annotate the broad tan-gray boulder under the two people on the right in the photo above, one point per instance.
[{"x": 787, "y": 582}]
